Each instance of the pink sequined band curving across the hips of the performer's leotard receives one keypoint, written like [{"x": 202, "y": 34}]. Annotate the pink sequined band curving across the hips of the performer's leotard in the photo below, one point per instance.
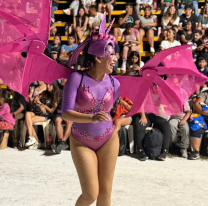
[{"x": 83, "y": 135}]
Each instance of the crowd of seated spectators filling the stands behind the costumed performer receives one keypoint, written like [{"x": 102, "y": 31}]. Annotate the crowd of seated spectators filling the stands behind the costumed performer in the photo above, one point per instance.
[{"x": 173, "y": 29}]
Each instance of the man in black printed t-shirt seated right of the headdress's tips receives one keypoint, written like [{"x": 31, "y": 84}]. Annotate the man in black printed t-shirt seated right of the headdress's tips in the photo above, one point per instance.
[{"x": 129, "y": 17}]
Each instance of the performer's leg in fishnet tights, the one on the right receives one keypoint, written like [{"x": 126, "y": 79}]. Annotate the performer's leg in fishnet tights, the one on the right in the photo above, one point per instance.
[{"x": 107, "y": 156}]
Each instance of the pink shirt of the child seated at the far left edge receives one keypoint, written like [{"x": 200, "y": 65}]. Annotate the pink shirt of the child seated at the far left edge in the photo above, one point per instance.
[{"x": 5, "y": 114}]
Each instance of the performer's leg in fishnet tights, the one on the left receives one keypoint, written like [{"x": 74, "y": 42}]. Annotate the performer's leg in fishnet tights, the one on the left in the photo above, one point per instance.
[{"x": 86, "y": 163}]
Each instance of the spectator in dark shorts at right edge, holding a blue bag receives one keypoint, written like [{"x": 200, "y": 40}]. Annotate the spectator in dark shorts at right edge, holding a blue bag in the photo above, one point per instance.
[{"x": 196, "y": 136}]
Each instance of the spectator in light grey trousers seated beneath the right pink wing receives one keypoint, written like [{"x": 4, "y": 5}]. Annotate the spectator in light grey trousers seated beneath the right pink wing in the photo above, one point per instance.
[{"x": 178, "y": 123}]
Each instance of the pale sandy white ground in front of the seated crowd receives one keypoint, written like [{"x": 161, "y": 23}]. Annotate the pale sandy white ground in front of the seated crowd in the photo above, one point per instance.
[{"x": 38, "y": 178}]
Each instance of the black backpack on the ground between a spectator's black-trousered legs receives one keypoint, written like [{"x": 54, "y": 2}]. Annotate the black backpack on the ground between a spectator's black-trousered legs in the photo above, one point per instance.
[{"x": 152, "y": 143}]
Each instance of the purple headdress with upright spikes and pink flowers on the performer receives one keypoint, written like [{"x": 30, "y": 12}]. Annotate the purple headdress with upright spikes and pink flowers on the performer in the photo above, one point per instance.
[{"x": 98, "y": 42}]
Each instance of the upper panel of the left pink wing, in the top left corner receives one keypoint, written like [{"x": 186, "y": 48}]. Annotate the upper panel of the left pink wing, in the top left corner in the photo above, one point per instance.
[{"x": 24, "y": 19}]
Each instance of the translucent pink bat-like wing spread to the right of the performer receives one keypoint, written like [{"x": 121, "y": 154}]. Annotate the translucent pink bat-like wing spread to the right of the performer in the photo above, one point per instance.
[{"x": 166, "y": 97}]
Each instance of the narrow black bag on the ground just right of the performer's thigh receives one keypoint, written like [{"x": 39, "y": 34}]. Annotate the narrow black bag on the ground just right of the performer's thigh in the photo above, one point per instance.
[{"x": 123, "y": 135}]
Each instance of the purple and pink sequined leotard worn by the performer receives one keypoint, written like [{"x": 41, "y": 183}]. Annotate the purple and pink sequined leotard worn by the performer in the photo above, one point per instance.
[{"x": 90, "y": 97}]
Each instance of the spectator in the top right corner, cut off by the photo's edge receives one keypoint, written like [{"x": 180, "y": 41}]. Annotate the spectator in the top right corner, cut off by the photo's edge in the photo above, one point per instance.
[{"x": 203, "y": 20}]
